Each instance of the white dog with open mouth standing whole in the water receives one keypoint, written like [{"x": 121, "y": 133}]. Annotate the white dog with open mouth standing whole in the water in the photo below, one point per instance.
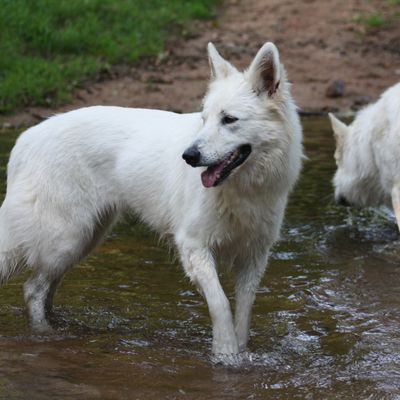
[{"x": 72, "y": 175}]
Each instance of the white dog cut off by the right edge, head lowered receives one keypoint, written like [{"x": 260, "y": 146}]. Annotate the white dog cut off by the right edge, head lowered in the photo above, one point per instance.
[{"x": 368, "y": 155}]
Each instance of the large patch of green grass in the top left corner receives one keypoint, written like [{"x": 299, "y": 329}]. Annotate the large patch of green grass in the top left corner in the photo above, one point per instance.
[{"x": 49, "y": 47}]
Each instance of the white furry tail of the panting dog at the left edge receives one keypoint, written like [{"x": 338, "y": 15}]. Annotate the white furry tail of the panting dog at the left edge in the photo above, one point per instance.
[{"x": 10, "y": 256}]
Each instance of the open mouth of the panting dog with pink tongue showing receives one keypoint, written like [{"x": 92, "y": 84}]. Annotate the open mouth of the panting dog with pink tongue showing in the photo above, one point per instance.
[{"x": 217, "y": 173}]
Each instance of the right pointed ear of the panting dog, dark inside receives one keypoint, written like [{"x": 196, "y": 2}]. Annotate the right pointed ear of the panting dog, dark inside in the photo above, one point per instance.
[{"x": 264, "y": 72}]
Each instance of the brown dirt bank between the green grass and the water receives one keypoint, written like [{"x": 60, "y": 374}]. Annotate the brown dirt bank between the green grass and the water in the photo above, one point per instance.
[{"x": 320, "y": 41}]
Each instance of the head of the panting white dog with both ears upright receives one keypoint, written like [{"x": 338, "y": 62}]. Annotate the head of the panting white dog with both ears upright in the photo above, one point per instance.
[{"x": 242, "y": 115}]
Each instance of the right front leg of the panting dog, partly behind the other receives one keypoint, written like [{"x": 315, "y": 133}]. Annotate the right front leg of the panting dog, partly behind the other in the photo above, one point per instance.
[{"x": 248, "y": 276}]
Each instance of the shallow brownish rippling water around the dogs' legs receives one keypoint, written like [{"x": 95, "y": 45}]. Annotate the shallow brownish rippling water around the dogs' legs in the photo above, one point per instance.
[{"x": 129, "y": 325}]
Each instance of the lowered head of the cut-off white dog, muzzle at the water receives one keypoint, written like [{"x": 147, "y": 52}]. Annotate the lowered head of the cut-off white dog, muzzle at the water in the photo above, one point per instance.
[{"x": 356, "y": 179}]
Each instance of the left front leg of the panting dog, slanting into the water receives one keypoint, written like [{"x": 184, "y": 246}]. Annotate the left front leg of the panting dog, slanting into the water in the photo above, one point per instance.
[{"x": 200, "y": 266}]
